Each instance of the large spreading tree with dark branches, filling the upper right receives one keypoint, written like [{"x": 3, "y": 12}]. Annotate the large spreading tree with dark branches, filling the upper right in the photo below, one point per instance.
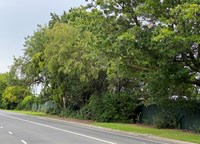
[{"x": 158, "y": 39}]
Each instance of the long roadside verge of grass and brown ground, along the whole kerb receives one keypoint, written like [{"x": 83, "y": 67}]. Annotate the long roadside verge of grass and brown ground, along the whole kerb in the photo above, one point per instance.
[{"x": 187, "y": 136}]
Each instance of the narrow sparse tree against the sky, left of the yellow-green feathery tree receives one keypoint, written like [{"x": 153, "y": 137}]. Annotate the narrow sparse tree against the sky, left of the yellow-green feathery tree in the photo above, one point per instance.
[{"x": 34, "y": 58}]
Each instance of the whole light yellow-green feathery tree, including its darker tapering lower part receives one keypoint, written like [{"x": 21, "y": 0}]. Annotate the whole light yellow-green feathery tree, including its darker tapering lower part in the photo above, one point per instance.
[{"x": 70, "y": 58}]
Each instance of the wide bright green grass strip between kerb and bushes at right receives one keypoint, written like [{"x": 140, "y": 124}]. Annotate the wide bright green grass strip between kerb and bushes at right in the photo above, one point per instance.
[{"x": 165, "y": 133}]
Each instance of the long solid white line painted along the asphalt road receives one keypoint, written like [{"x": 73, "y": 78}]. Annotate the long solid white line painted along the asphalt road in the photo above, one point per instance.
[{"x": 48, "y": 126}]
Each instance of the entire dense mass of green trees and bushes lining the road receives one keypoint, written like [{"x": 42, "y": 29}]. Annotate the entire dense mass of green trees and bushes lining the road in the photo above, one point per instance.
[{"x": 113, "y": 61}]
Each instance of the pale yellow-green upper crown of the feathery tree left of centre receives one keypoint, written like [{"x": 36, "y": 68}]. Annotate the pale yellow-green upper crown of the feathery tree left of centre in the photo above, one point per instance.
[{"x": 76, "y": 55}]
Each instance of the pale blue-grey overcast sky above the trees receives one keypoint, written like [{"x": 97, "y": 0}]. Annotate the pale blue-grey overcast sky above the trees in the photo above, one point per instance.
[{"x": 19, "y": 18}]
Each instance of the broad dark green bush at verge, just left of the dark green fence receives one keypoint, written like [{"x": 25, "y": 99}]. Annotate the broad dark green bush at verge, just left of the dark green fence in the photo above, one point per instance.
[{"x": 111, "y": 108}]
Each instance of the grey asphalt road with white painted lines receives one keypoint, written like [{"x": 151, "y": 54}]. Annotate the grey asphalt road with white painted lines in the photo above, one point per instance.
[{"x": 24, "y": 129}]
